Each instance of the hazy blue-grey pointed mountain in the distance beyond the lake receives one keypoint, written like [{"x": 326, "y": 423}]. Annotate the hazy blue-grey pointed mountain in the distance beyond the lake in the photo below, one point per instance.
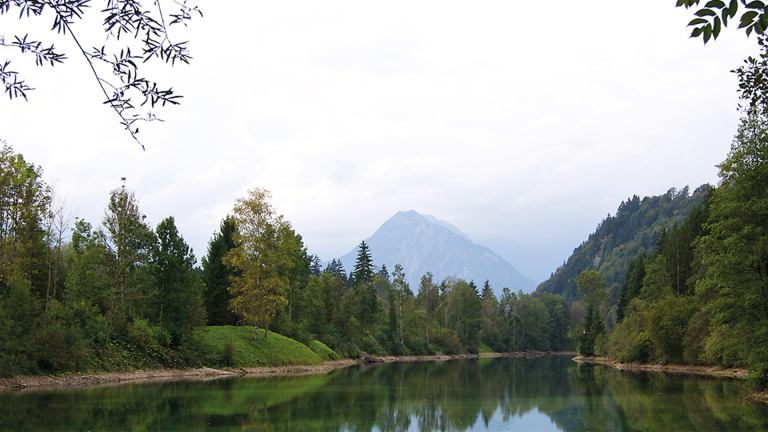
[{"x": 422, "y": 243}]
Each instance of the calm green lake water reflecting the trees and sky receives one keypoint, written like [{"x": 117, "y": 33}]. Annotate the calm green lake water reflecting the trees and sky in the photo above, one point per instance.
[{"x": 545, "y": 394}]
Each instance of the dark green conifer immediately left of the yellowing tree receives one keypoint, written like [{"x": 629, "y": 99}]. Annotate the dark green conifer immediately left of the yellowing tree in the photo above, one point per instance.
[{"x": 216, "y": 276}]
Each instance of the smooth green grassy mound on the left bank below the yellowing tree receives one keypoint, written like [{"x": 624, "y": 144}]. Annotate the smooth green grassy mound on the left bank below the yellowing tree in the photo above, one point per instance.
[{"x": 274, "y": 350}]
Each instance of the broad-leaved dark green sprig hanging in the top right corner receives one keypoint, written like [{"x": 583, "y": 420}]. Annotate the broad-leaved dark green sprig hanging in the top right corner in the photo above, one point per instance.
[{"x": 715, "y": 15}]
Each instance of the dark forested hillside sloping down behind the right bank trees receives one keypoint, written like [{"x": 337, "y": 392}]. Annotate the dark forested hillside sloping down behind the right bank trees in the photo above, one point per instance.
[{"x": 619, "y": 239}]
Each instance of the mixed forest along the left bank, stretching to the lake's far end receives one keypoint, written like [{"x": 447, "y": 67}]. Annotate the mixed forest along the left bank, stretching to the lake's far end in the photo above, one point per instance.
[{"x": 123, "y": 294}]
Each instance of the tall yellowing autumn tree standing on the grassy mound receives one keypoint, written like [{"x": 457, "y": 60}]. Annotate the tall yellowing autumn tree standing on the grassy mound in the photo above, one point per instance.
[{"x": 261, "y": 259}]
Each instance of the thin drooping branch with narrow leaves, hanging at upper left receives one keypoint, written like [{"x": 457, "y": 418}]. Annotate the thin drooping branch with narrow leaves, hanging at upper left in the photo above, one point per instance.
[{"x": 135, "y": 35}]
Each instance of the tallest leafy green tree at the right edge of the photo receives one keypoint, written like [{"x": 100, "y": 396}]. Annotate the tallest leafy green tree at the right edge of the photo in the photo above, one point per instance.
[{"x": 735, "y": 252}]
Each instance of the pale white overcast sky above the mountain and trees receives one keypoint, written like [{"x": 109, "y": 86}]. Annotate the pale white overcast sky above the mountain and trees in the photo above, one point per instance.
[{"x": 522, "y": 126}]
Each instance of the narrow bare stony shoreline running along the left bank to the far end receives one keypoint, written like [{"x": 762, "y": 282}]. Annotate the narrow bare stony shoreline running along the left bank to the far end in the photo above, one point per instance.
[{"x": 75, "y": 380}]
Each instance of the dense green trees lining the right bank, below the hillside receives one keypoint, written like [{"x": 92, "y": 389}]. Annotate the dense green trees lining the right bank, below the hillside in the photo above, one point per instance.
[{"x": 702, "y": 296}]
